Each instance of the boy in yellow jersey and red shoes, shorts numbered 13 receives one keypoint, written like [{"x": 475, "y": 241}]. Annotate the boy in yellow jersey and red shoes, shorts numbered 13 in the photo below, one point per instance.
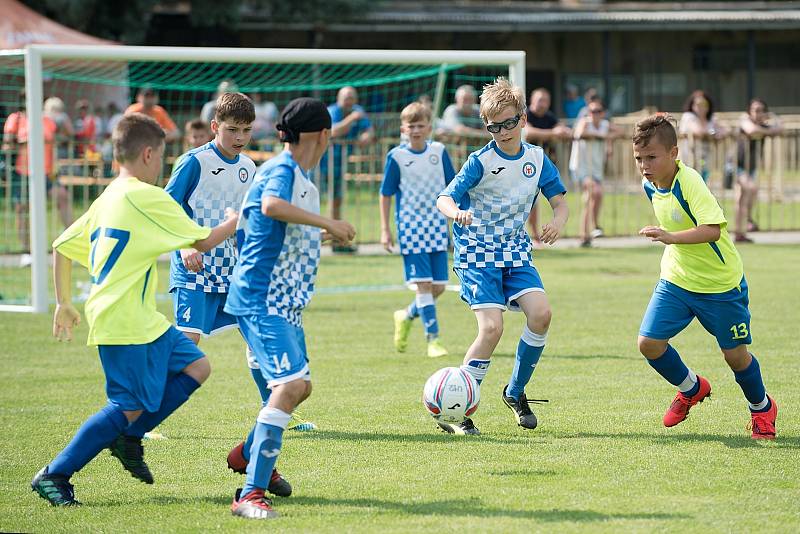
[{"x": 701, "y": 276}]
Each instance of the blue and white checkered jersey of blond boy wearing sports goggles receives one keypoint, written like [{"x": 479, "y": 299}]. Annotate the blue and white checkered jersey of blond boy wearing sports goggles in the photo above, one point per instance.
[{"x": 499, "y": 190}]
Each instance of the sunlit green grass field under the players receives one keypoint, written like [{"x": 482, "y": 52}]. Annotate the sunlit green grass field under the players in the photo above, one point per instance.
[{"x": 600, "y": 461}]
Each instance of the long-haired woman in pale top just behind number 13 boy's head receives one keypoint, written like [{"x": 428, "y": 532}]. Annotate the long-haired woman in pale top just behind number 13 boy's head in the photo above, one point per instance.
[{"x": 698, "y": 129}]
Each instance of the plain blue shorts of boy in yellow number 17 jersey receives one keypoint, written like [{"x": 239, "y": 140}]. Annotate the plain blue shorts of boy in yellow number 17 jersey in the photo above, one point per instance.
[{"x": 136, "y": 374}]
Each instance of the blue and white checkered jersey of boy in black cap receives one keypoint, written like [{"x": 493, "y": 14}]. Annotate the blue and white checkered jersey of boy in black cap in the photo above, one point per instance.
[{"x": 277, "y": 261}]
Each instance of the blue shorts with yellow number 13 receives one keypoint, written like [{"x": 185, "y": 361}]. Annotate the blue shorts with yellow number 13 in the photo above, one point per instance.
[{"x": 723, "y": 315}]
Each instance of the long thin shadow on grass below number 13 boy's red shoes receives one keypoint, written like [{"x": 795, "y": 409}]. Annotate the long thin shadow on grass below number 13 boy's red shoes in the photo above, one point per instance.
[{"x": 734, "y": 442}]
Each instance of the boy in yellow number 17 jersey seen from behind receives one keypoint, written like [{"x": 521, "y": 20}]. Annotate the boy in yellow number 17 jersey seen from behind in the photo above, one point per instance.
[{"x": 151, "y": 368}]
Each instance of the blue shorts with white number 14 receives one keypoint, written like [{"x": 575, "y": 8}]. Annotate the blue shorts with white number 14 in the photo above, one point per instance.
[{"x": 278, "y": 347}]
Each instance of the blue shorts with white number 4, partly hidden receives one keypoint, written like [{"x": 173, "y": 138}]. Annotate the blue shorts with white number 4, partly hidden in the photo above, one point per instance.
[{"x": 201, "y": 312}]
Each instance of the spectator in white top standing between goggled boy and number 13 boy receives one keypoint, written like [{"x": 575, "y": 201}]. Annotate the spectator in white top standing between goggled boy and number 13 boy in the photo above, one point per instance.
[{"x": 587, "y": 161}]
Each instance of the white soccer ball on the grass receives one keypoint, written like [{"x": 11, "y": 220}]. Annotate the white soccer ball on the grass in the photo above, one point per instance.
[{"x": 451, "y": 395}]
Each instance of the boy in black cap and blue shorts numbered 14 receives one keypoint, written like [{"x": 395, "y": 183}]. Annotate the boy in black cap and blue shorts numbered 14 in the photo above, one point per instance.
[{"x": 272, "y": 283}]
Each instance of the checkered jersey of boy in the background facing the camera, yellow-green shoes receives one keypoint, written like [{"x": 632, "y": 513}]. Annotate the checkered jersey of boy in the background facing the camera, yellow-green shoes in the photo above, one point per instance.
[{"x": 416, "y": 178}]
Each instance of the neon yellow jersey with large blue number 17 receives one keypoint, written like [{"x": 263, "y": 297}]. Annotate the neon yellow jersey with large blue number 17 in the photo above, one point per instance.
[{"x": 118, "y": 240}]
